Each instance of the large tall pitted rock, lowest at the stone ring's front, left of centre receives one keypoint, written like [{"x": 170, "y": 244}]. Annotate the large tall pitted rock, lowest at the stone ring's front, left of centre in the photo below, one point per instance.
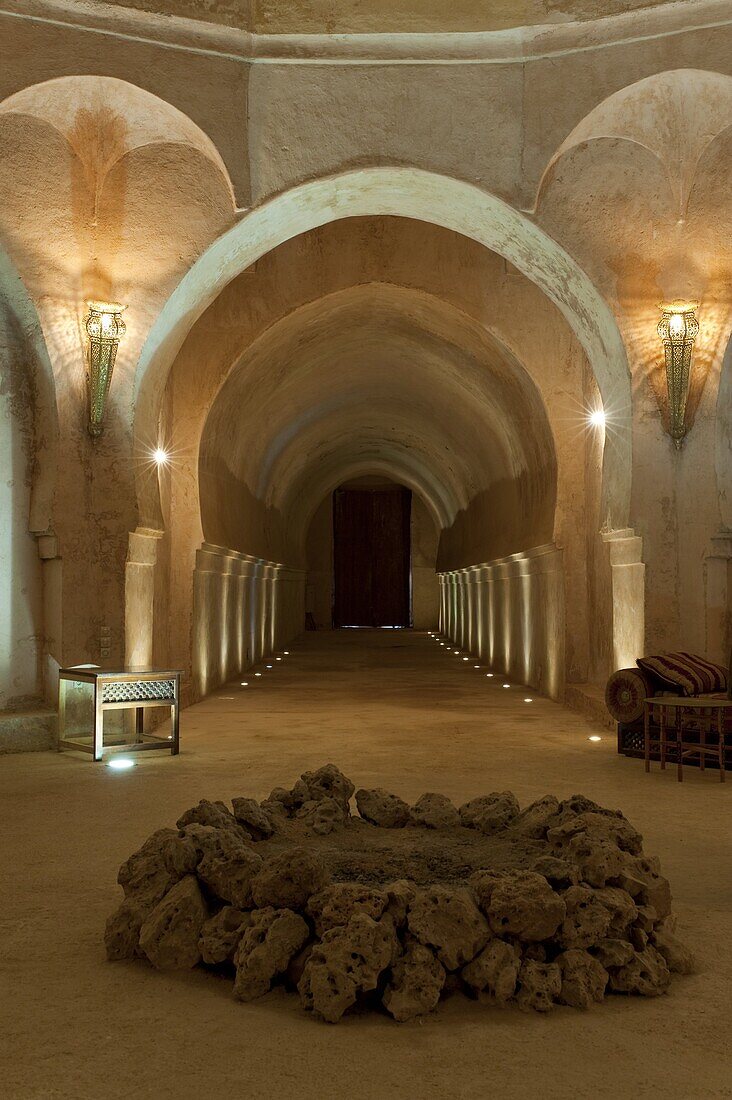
[{"x": 348, "y": 961}]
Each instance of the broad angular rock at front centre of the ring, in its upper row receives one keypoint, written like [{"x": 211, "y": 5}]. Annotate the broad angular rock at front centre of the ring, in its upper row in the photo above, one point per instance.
[{"x": 451, "y": 923}]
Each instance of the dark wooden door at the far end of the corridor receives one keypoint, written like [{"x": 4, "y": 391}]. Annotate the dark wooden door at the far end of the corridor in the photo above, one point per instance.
[{"x": 372, "y": 557}]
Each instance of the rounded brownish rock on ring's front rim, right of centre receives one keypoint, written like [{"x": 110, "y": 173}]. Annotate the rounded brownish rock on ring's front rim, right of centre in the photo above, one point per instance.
[{"x": 525, "y": 905}]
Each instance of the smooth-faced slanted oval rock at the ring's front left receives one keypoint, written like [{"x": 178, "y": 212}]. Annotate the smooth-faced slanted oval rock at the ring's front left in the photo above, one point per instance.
[{"x": 170, "y": 934}]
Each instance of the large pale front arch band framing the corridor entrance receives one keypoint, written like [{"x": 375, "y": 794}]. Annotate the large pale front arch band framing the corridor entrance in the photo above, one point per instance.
[{"x": 403, "y": 193}]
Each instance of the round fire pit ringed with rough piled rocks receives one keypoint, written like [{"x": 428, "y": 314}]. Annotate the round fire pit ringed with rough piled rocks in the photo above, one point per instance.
[{"x": 552, "y": 905}]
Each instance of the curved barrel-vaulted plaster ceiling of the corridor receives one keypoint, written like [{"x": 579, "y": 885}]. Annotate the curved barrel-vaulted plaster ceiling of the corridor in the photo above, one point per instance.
[{"x": 378, "y": 379}]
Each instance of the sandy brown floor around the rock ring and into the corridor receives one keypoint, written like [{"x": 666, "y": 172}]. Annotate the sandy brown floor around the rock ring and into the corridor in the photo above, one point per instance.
[{"x": 391, "y": 710}]
